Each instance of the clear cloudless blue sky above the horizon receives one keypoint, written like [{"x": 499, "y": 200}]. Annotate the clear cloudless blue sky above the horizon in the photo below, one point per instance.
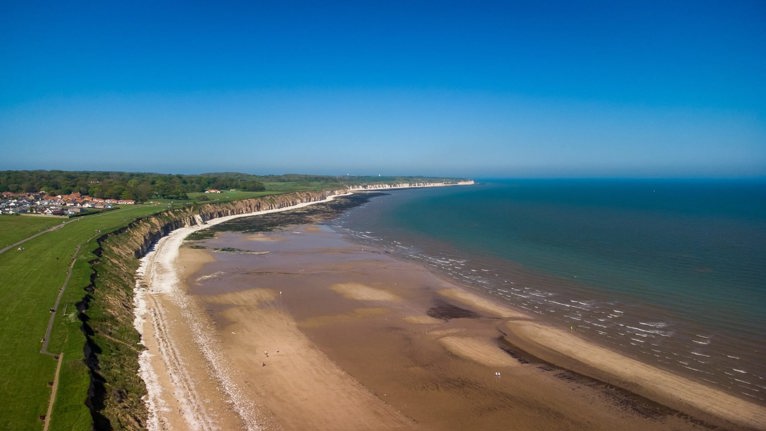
[{"x": 464, "y": 88}]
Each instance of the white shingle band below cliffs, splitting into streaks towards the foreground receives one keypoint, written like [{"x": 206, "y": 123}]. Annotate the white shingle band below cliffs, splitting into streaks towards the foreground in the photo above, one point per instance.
[{"x": 157, "y": 276}]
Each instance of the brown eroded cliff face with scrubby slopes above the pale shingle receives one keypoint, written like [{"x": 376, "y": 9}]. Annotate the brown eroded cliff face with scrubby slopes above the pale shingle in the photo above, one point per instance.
[{"x": 106, "y": 311}]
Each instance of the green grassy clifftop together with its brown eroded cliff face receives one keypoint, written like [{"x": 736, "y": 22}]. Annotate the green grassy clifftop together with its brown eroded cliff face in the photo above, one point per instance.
[{"x": 69, "y": 351}]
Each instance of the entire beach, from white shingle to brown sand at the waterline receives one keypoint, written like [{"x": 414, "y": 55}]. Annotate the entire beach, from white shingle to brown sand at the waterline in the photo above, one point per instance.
[{"x": 302, "y": 329}]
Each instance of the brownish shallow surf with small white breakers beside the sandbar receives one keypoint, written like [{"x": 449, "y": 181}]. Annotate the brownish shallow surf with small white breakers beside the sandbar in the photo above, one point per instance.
[{"x": 625, "y": 325}]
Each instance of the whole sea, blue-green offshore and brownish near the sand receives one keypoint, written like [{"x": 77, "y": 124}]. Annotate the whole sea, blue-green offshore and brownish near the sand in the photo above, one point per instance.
[{"x": 670, "y": 272}]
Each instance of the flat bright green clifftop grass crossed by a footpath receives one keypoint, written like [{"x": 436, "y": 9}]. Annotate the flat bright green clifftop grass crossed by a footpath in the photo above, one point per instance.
[{"x": 29, "y": 282}]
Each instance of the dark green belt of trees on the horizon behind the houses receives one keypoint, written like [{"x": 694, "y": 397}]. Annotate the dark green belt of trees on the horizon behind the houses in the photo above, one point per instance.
[{"x": 123, "y": 185}]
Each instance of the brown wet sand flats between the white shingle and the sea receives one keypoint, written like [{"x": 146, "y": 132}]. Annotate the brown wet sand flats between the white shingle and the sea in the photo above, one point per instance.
[{"x": 358, "y": 296}]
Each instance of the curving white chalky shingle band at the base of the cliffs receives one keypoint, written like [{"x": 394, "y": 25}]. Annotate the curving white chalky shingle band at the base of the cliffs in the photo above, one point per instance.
[{"x": 158, "y": 294}]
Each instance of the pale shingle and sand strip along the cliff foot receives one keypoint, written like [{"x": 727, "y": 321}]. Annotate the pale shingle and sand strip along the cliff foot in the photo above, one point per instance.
[{"x": 158, "y": 294}]
